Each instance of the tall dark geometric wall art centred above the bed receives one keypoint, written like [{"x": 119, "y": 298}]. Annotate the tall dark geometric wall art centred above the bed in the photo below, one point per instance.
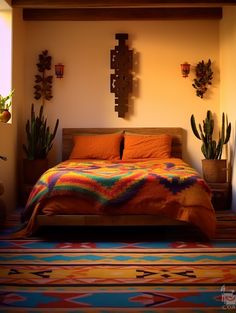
[{"x": 122, "y": 80}]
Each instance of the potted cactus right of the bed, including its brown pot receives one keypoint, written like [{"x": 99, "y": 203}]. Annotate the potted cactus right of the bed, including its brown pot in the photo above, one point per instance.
[{"x": 213, "y": 167}]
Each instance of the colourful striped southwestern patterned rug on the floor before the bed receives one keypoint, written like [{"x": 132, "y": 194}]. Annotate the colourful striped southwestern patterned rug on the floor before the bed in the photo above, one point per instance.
[{"x": 105, "y": 274}]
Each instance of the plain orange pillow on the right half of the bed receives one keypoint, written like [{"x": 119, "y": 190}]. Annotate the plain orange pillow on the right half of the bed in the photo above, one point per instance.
[{"x": 146, "y": 146}]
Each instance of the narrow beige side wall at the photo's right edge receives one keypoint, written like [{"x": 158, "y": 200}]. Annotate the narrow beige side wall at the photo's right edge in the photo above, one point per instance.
[{"x": 228, "y": 73}]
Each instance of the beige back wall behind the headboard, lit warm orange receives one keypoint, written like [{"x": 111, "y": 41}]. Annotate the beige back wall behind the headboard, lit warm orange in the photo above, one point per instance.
[{"x": 162, "y": 97}]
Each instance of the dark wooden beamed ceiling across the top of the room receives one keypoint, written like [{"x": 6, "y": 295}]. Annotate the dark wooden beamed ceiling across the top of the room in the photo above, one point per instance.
[{"x": 120, "y": 9}]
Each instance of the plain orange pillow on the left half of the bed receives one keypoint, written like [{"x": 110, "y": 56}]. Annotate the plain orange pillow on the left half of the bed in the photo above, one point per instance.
[{"x": 104, "y": 147}]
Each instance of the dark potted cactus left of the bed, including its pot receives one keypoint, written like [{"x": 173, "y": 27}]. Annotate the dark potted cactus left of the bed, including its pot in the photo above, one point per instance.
[{"x": 39, "y": 143}]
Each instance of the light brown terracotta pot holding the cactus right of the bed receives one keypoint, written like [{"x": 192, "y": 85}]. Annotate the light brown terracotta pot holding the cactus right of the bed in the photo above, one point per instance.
[{"x": 214, "y": 171}]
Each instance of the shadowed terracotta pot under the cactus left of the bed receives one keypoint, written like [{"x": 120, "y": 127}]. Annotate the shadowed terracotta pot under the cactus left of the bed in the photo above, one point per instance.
[{"x": 33, "y": 169}]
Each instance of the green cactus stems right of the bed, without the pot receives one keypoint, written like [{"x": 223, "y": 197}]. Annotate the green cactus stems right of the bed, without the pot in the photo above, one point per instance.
[{"x": 211, "y": 148}]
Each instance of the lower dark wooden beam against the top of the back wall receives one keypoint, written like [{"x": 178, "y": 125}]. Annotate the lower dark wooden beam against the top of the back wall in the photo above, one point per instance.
[{"x": 106, "y": 14}]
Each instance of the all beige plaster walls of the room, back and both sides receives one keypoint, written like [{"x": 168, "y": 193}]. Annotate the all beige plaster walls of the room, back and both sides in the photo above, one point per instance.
[{"x": 82, "y": 98}]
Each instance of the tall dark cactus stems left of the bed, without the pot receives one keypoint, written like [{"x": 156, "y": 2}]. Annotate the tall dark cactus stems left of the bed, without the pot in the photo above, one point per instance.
[{"x": 39, "y": 137}]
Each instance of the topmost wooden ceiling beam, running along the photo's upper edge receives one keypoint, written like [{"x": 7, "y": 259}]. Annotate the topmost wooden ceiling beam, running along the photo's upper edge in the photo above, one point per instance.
[{"x": 114, "y": 3}]
